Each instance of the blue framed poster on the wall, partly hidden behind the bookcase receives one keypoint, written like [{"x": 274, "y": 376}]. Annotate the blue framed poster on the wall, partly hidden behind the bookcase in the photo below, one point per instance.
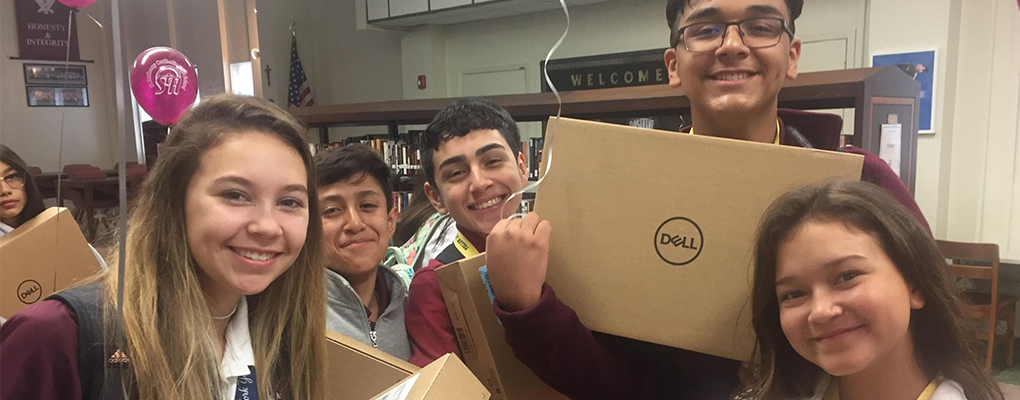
[{"x": 922, "y": 67}]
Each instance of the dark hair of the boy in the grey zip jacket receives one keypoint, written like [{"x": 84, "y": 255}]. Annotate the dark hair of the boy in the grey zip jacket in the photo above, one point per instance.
[{"x": 342, "y": 164}]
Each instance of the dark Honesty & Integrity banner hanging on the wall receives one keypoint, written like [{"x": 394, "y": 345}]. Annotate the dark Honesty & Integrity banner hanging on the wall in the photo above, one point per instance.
[{"x": 43, "y": 31}]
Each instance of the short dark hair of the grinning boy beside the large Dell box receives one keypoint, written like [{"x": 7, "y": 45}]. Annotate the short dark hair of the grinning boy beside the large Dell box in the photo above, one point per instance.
[{"x": 463, "y": 118}]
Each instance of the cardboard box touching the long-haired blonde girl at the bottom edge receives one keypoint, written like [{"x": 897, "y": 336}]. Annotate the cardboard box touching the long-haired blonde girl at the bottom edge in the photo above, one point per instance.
[{"x": 359, "y": 372}]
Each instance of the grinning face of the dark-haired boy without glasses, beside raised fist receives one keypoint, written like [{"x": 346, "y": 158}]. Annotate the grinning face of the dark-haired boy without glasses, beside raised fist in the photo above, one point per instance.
[{"x": 475, "y": 176}]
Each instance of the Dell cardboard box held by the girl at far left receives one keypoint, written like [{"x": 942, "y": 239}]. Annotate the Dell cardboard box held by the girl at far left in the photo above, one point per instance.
[{"x": 44, "y": 256}]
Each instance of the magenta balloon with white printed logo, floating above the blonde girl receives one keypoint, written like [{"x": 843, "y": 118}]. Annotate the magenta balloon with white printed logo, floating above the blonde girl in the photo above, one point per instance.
[{"x": 165, "y": 84}]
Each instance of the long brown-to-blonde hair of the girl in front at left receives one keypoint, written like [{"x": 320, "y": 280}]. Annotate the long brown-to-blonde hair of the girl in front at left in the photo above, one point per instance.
[{"x": 167, "y": 321}]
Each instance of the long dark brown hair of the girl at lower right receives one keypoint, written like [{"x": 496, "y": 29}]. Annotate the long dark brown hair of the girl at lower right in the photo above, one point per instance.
[{"x": 942, "y": 338}]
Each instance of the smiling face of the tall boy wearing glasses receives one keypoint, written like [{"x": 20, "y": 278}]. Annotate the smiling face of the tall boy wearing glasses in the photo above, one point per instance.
[{"x": 734, "y": 83}]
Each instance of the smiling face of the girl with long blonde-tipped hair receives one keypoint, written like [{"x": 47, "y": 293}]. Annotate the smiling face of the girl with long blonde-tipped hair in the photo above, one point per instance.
[{"x": 246, "y": 214}]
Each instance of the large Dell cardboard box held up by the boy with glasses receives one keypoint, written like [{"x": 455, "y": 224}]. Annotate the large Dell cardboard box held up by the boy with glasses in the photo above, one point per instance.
[{"x": 653, "y": 231}]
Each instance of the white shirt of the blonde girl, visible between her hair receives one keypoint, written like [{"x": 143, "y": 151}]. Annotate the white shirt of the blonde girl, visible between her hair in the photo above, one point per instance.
[{"x": 239, "y": 360}]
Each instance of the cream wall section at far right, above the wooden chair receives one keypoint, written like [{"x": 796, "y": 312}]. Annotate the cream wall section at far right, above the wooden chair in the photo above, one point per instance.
[{"x": 985, "y": 178}]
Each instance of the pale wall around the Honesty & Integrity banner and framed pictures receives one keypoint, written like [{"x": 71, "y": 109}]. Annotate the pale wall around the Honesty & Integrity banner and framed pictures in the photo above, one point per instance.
[{"x": 35, "y": 133}]
